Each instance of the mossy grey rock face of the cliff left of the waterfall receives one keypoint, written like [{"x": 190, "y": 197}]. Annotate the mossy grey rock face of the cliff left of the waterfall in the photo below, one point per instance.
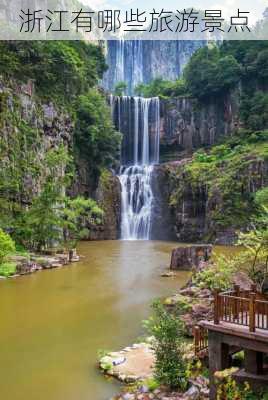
[{"x": 30, "y": 130}]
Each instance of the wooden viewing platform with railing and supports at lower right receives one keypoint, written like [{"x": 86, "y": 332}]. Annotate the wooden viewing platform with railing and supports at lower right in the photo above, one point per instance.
[{"x": 240, "y": 323}]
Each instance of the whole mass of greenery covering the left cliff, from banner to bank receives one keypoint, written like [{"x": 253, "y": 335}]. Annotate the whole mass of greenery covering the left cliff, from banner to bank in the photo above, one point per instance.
[{"x": 33, "y": 179}]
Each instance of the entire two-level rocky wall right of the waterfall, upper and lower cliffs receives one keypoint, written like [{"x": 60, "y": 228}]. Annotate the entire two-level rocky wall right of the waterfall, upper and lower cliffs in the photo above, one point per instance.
[{"x": 193, "y": 206}]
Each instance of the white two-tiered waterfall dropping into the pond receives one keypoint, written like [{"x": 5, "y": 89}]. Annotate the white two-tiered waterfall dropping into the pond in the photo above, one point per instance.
[{"x": 139, "y": 121}]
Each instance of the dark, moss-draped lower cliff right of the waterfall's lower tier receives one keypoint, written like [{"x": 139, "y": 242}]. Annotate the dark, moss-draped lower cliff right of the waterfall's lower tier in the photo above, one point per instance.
[{"x": 200, "y": 212}]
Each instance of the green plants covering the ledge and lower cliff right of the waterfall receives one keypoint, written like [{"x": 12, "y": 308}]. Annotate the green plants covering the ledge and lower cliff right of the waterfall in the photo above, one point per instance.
[{"x": 224, "y": 173}]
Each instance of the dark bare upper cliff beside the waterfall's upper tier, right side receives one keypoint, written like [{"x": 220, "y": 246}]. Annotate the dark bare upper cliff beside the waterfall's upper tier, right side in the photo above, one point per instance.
[{"x": 187, "y": 125}]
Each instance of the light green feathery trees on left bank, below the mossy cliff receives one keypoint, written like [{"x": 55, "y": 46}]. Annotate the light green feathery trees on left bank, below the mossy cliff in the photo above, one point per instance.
[{"x": 52, "y": 216}]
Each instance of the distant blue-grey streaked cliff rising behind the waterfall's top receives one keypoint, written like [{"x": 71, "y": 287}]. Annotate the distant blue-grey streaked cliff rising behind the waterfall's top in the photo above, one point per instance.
[{"x": 140, "y": 61}]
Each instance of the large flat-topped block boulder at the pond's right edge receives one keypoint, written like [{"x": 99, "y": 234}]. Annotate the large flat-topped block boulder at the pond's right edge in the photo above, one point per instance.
[{"x": 185, "y": 258}]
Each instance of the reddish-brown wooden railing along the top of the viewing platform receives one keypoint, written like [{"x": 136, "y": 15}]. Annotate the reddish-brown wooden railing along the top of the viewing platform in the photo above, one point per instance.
[{"x": 241, "y": 307}]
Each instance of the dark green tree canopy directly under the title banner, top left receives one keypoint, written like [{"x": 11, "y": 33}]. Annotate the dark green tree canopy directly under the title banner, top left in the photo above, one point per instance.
[{"x": 61, "y": 69}]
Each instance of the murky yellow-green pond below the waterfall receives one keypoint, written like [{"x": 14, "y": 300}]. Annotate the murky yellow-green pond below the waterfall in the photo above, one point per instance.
[{"x": 52, "y": 323}]
